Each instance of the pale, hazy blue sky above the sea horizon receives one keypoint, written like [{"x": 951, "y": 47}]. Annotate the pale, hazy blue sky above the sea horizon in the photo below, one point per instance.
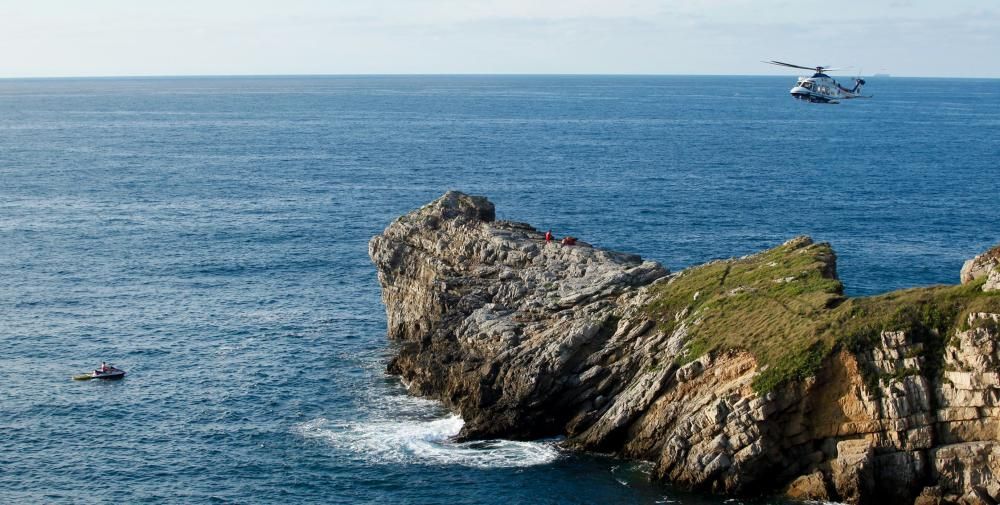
[{"x": 181, "y": 37}]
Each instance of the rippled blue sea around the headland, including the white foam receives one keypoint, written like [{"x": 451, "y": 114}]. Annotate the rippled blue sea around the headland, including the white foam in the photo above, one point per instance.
[{"x": 209, "y": 235}]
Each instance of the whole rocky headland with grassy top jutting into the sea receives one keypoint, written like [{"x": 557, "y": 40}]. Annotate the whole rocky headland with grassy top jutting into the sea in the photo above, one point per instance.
[{"x": 741, "y": 376}]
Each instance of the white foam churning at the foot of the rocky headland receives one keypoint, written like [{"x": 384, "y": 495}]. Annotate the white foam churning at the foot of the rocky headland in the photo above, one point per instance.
[{"x": 426, "y": 442}]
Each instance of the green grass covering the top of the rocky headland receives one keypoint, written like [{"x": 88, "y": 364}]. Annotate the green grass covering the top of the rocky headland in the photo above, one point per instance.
[{"x": 786, "y": 307}]
